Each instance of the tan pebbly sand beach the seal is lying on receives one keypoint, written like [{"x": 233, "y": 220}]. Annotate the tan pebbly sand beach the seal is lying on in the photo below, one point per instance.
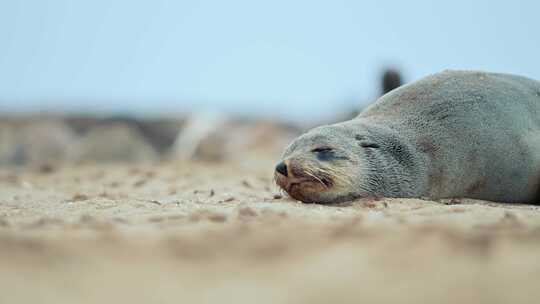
[{"x": 188, "y": 232}]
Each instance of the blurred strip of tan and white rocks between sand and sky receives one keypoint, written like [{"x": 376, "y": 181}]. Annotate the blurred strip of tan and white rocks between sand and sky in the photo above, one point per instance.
[{"x": 206, "y": 136}]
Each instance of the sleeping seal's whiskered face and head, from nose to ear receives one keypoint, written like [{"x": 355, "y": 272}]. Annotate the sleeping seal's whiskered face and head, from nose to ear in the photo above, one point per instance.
[{"x": 323, "y": 166}]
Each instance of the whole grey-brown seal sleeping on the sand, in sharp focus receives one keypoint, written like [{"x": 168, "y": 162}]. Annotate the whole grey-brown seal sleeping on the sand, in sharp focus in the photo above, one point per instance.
[{"x": 453, "y": 134}]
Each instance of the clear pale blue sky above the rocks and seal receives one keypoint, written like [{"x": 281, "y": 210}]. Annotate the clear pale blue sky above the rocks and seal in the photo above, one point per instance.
[{"x": 280, "y": 58}]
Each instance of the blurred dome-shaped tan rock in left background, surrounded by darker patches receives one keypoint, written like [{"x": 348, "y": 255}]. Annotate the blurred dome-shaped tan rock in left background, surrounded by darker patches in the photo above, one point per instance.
[{"x": 113, "y": 142}]
